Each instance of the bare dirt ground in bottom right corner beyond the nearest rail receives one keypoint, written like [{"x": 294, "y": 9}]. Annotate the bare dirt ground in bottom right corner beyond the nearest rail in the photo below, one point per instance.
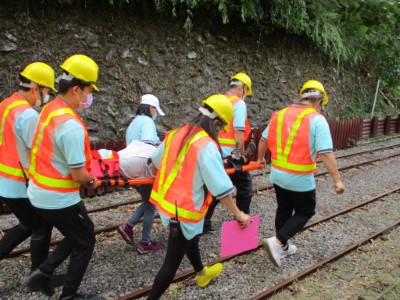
[{"x": 372, "y": 272}]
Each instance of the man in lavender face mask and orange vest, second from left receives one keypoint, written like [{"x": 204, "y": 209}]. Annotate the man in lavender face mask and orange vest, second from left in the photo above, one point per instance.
[{"x": 60, "y": 164}]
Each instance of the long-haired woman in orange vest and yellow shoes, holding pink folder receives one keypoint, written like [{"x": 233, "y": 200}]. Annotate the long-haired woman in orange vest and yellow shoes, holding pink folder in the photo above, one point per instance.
[{"x": 189, "y": 168}]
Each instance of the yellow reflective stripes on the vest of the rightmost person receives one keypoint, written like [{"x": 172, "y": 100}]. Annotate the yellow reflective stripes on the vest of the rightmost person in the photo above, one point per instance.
[{"x": 281, "y": 161}]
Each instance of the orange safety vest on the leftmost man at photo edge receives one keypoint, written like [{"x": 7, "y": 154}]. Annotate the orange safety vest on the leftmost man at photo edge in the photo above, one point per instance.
[{"x": 9, "y": 160}]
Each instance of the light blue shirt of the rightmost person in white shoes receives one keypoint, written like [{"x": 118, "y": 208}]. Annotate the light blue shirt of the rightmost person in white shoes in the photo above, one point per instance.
[{"x": 320, "y": 142}]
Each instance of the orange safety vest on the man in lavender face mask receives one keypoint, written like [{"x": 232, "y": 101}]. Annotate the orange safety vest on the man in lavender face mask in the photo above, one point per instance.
[{"x": 41, "y": 171}]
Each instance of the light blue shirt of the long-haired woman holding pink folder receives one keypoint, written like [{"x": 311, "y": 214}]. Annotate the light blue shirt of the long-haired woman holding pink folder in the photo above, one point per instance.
[{"x": 210, "y": 172}]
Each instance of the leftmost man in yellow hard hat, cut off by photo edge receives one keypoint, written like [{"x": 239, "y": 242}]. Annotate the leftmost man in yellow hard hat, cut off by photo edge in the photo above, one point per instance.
[{"x": 17, "y": 124}]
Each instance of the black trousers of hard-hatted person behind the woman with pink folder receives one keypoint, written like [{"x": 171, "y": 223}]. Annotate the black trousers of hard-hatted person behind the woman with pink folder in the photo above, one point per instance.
[{"x": 244, "y": 185}]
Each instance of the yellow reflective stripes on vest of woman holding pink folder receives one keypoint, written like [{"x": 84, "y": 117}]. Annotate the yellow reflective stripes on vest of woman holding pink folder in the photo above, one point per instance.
[{"x": 164, "y": 181}]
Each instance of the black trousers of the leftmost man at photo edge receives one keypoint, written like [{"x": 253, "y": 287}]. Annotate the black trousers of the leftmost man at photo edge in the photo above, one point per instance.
[{"x": 31, "y": 225}]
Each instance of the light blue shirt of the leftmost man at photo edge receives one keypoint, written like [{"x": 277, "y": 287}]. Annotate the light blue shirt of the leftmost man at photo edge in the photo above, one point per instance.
[{"x": 24, "y": 130}]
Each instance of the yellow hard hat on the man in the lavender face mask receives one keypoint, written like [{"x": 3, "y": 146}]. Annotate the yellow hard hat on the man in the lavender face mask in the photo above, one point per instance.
[{"x": 82, "y": 67}]
